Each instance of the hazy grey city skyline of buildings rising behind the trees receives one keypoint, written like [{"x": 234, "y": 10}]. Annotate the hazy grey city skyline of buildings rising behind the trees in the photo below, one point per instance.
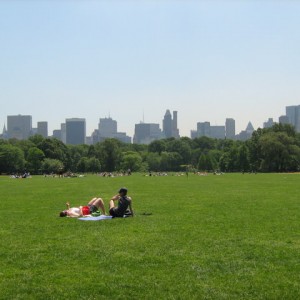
[{"x": 21, "y": 127}]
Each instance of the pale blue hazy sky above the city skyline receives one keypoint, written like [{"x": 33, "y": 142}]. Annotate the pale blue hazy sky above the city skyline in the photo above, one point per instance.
[{"x": 206, "y": 59}]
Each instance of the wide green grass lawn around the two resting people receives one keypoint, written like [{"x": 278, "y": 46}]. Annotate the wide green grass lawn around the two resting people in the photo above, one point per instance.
[{"x": 216, "y": 237}]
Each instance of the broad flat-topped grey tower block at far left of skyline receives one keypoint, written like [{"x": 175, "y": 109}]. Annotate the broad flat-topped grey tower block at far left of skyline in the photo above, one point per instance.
[{"x": 19, "y": 127}]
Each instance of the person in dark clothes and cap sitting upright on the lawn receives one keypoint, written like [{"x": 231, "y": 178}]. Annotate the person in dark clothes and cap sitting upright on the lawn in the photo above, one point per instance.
[{"x": 124, "y": 202}]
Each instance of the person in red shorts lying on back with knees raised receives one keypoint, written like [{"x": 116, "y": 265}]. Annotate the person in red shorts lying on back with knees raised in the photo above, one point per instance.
[{"x": 74, "y": 212}]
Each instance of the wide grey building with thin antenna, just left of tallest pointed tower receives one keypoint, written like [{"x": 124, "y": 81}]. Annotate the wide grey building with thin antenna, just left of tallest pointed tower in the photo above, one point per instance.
[{"x": 145, "y": 133}]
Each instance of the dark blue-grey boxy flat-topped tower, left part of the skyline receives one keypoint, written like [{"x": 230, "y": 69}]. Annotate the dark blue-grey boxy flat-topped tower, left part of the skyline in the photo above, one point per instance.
[{"x": 75, "y": 131}]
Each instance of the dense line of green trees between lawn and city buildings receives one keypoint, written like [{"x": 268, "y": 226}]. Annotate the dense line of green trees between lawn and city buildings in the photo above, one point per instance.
[{"x": 275, "y": 149}]
